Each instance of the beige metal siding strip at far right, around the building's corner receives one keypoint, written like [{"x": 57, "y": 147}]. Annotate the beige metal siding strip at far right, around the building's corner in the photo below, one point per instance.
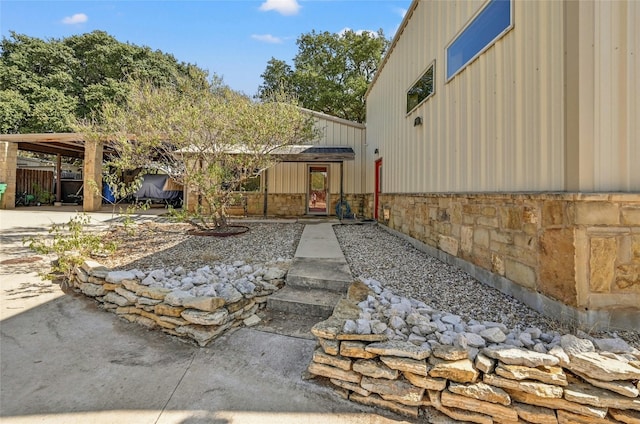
[{"x": 616, "y": 93}]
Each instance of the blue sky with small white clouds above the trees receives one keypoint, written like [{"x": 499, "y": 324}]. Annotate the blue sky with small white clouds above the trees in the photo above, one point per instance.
[{"x": 231, "y": 38}]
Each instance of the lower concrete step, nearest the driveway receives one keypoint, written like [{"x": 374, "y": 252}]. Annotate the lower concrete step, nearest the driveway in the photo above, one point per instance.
[{"x": 304, "y": 301}]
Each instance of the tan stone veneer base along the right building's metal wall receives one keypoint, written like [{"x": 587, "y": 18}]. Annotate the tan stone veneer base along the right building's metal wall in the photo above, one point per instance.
[{"x": 575, "y": 257}]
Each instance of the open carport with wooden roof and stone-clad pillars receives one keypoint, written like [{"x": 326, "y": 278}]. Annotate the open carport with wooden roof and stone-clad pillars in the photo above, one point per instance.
[{"x": 58, "y": 144}]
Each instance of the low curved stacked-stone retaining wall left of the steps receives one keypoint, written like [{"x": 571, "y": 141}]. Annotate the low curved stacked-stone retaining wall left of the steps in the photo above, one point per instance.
[{"x": 199, "y": 318}]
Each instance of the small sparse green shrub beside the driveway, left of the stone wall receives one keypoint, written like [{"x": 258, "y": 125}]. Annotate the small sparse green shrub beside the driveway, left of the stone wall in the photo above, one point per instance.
[{"x": 72, "y": 244}]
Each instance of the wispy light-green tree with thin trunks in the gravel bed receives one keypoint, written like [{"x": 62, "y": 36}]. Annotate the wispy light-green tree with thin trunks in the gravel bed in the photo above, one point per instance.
[{"x": 207, "y": 137}]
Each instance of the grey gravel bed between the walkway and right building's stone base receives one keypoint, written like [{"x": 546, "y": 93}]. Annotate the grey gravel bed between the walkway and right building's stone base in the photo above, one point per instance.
[{"x": 375, "y": 253}]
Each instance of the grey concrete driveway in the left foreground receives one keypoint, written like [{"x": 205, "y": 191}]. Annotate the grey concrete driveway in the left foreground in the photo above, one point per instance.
[{"x": 63, "y": 360}]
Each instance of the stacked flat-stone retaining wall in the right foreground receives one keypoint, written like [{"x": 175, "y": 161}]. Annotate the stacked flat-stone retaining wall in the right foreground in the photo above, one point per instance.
[{"x": 499, "y": 383}]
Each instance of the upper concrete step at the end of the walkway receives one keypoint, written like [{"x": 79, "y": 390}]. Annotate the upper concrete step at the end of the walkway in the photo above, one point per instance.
[{"x": 320, "y": 273}]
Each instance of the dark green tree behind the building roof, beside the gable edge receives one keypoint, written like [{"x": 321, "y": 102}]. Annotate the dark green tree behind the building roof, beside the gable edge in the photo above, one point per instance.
[{"x": 332, "y": 72}]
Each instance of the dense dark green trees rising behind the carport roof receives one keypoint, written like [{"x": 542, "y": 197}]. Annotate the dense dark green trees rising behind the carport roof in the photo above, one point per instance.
[{"x": 45, "y": 85}]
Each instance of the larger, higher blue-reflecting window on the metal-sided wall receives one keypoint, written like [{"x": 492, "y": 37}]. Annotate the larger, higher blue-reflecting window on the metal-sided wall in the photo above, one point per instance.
[{"x": 492, "y": 22}]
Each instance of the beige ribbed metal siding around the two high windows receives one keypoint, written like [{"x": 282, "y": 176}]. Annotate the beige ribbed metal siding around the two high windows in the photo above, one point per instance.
[{"x": 497, "y": 126}]
